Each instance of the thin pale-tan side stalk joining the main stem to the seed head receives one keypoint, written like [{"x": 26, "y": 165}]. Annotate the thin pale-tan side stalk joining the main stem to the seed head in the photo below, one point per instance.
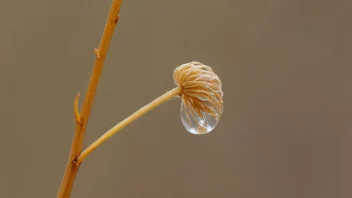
[{"x": 158, "y": 101}]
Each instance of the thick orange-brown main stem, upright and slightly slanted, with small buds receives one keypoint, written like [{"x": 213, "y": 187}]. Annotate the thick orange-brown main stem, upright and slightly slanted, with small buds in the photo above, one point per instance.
[{"x": 82, "y": 119}]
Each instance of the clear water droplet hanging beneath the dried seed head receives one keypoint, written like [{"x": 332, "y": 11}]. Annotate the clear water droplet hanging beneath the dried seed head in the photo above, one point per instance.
[{"x": 198, "y": 124}]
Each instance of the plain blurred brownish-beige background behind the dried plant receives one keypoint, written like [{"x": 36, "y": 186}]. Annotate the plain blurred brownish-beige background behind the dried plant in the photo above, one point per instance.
[{"x": 286, "y": 131}]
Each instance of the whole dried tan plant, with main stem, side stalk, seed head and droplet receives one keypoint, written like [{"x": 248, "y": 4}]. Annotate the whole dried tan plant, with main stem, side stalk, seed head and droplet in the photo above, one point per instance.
[{"x": 197, "y": 85}]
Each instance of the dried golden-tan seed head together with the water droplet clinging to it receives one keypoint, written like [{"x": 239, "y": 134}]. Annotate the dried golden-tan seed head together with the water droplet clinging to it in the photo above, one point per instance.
[{"x": 201, "y": 95}]
